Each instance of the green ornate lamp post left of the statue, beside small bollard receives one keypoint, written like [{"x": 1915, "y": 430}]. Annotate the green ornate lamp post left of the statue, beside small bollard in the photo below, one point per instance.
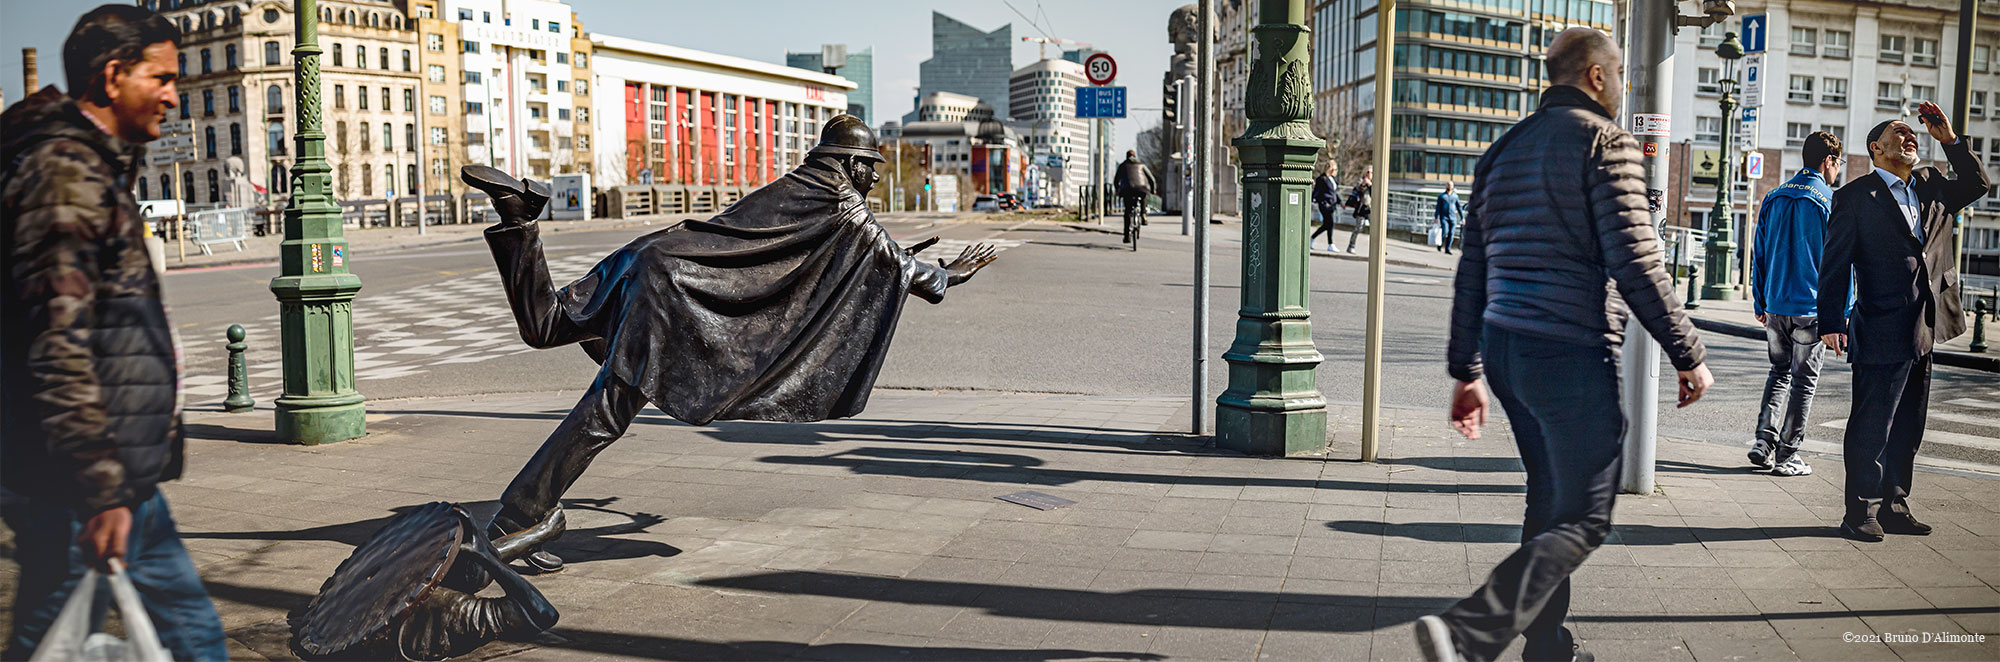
[{"x": 315, "y": 289}]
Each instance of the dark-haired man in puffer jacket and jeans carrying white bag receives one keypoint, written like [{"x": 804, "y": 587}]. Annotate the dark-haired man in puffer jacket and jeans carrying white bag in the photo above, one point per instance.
[{"x": 89, "y": 369}]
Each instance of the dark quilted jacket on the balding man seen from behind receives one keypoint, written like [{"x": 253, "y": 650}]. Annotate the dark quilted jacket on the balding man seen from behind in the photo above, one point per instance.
[{"x": 1559, "y": 241}]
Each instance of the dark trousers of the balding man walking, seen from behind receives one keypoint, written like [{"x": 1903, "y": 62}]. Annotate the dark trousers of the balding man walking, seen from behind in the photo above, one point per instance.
[{"x": 1563, "y": 405}]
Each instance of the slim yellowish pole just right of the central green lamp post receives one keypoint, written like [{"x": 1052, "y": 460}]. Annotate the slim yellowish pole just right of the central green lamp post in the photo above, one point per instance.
[{"x": 1379, "y": 237}]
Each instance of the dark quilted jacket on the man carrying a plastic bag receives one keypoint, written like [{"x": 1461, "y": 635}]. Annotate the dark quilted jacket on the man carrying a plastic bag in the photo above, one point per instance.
[{"x": 89, "y": 377}]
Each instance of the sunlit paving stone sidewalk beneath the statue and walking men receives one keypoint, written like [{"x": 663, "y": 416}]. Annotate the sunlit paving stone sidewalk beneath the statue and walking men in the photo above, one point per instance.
[{"x": 883, "y": 539}]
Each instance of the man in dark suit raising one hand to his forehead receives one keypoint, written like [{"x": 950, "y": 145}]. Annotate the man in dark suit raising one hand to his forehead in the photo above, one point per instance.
[{"x": 1893, "y": 233}]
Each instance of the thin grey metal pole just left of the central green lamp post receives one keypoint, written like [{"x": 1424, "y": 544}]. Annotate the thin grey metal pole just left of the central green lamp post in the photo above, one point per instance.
[{"x": 1203, "y": 191}]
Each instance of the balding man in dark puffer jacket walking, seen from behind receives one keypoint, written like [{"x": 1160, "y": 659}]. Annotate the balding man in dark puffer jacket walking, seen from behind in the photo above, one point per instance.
[{"x": 1557, "y": 245}]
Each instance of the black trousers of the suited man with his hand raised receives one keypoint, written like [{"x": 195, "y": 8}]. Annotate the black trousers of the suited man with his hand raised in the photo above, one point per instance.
[{"x": 1885, "y": 429}]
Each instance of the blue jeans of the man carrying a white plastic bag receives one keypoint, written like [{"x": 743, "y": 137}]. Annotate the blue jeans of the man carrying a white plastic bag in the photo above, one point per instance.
[{"x": 53, "y": 563}]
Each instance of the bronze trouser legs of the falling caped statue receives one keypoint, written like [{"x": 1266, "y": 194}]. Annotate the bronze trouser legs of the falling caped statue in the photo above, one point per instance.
[{"x": 595, "y": 423}]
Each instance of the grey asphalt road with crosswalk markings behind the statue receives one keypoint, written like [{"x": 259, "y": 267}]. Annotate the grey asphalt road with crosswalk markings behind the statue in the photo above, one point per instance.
[{"x": 1063, "y": 311}]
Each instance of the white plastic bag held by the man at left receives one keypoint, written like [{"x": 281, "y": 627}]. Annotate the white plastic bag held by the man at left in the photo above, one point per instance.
[{"x": 71, "y": 639}]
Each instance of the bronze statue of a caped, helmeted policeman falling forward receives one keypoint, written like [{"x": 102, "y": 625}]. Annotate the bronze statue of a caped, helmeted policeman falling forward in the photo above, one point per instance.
[{"x": 777, "y": 309}]
